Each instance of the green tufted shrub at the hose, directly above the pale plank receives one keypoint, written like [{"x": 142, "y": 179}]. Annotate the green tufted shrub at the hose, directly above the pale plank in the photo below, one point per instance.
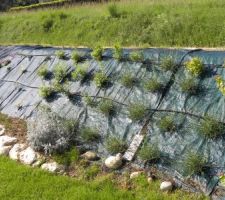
[{"x": 137, "y": 111}]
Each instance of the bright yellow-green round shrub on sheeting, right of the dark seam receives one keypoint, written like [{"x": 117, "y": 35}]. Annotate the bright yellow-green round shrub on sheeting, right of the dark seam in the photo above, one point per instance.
[{"x": 195, "y": 66}]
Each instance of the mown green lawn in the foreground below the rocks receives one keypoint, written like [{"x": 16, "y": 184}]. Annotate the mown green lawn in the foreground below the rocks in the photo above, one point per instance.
[{"x": 20, "y": 182}]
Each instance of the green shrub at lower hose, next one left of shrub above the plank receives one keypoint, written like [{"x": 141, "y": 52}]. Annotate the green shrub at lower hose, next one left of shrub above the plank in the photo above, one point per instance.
[{"x": 107, "y": 107}]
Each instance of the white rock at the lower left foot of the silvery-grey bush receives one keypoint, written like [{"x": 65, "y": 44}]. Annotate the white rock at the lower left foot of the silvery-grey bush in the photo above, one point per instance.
[{"x": 28, "y": 156}]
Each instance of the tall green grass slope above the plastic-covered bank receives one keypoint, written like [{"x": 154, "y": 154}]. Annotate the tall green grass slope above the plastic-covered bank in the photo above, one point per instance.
[{"x": 133, "y": 23}]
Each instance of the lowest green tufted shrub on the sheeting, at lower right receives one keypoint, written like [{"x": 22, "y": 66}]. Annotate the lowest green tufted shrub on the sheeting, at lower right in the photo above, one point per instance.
[{"x": 194, "y": 163}]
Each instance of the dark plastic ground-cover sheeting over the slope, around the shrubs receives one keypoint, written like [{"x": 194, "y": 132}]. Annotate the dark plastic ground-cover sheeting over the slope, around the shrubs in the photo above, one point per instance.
[{"x": 19, "y": 83}]
